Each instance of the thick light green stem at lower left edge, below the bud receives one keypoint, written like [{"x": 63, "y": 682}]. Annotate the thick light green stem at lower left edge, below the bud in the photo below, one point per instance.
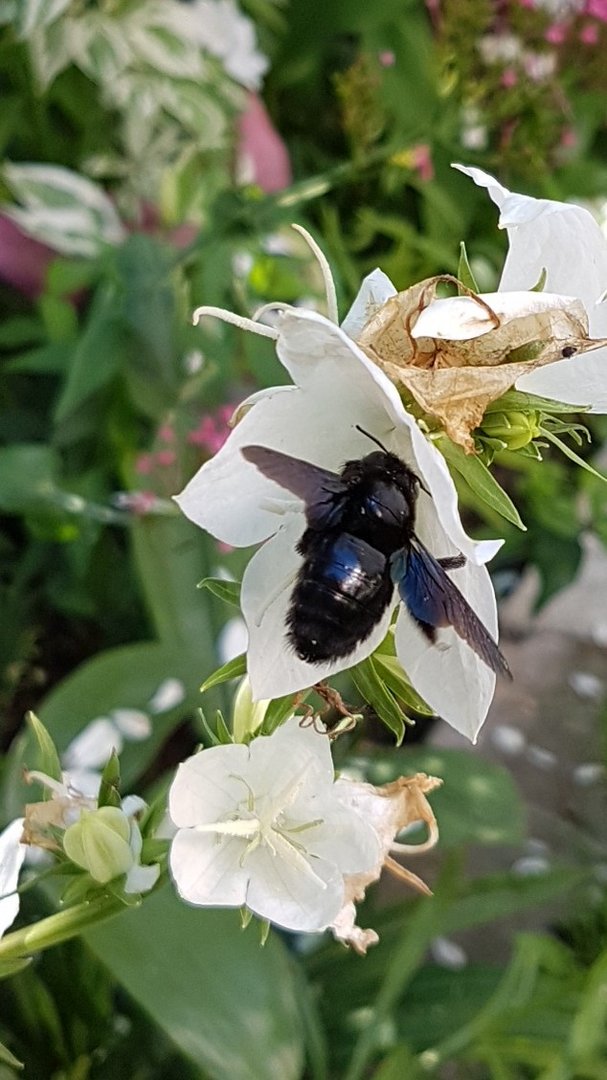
[{"x": 59, "y": 928}]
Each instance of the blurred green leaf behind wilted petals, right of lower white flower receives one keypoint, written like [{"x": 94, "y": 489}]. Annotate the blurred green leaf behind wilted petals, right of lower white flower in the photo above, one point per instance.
[{"x": 479, "y": 802}]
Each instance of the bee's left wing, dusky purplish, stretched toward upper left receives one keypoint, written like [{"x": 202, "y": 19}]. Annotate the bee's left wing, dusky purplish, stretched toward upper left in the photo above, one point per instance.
[{"x": 321, "y": 491}]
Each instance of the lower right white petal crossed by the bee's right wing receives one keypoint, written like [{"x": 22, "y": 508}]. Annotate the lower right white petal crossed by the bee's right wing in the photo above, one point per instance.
[{"x": 450, "y": 676}]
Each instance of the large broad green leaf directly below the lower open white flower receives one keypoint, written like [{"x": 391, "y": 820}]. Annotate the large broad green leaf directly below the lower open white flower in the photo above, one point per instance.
[{"x": 230, "y": 1007}]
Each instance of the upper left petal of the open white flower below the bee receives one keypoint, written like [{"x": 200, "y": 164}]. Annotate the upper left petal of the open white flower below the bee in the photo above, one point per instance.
[{"x": 206, "y": 789}]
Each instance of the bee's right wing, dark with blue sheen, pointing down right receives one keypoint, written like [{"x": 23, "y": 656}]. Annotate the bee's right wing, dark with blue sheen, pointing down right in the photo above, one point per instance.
[{"x": 435, "y": 601}]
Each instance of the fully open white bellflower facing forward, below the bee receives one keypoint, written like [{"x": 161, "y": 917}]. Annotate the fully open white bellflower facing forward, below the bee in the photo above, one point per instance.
[{"x": 263, "y": 827}]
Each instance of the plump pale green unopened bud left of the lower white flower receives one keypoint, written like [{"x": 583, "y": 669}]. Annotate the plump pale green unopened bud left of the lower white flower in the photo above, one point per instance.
[{"x": 100, "y": 843}]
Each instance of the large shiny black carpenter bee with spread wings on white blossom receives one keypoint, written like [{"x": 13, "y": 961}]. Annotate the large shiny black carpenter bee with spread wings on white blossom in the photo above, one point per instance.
[{"x": 360, "y": 543}]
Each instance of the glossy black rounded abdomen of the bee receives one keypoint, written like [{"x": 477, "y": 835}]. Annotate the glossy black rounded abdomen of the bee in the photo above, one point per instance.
[{"x": 342, "y": 592}]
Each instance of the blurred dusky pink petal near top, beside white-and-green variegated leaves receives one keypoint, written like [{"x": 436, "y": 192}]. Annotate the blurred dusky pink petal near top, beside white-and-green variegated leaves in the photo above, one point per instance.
[{"x": 263, "y": 158}]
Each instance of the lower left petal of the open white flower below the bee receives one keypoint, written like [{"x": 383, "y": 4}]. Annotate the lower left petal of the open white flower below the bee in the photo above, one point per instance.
[{"x": 207, "y": 869}]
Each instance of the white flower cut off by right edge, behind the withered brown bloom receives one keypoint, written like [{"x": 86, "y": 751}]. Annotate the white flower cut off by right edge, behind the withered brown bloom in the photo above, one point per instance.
[{"x": 568, "y": 242}]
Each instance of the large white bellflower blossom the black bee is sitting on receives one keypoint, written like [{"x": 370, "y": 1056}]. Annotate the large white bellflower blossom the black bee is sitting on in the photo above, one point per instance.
[{"x": 336, "y": 389}]
